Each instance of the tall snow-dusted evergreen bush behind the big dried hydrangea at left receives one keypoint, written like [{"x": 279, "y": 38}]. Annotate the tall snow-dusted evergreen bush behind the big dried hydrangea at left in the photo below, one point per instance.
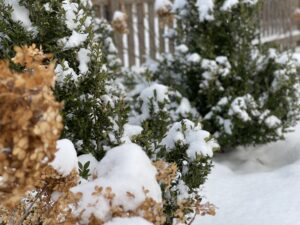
[{"x": 93, "y": 110}]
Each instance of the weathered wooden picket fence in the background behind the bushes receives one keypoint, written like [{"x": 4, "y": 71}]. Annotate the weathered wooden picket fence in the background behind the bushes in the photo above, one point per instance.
[{"x": 146, "y": 39}]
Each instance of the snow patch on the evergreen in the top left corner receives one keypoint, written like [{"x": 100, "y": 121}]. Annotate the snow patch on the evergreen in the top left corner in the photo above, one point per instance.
[{"x": 20, "y": 14}]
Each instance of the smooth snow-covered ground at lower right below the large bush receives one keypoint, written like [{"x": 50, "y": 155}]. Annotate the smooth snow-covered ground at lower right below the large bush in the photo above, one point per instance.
[{"x": 256, "y": 186}]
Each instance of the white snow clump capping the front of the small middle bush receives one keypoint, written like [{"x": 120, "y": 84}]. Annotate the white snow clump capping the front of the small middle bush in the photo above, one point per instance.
[{"x": 191, "y": 134}]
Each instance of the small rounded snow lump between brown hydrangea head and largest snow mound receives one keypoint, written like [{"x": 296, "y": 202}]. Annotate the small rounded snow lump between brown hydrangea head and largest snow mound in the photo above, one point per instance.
[{"x": 65, "y": 160}]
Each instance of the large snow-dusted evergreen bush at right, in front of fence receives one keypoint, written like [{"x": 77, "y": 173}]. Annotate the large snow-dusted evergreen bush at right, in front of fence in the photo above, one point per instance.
[{"x": 246, "y": 92}]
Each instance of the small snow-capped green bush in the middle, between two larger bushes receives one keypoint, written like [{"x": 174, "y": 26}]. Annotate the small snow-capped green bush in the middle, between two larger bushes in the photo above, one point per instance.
[{"x": 181, "y": 150}]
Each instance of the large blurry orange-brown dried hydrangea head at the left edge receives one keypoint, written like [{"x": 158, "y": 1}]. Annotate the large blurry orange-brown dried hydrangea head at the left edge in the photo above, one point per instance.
[{"x": 30, "y": 123}]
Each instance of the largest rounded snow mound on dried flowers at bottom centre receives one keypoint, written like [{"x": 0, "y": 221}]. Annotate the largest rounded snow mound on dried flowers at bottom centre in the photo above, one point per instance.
[{"x": 125, "y": 169}]
